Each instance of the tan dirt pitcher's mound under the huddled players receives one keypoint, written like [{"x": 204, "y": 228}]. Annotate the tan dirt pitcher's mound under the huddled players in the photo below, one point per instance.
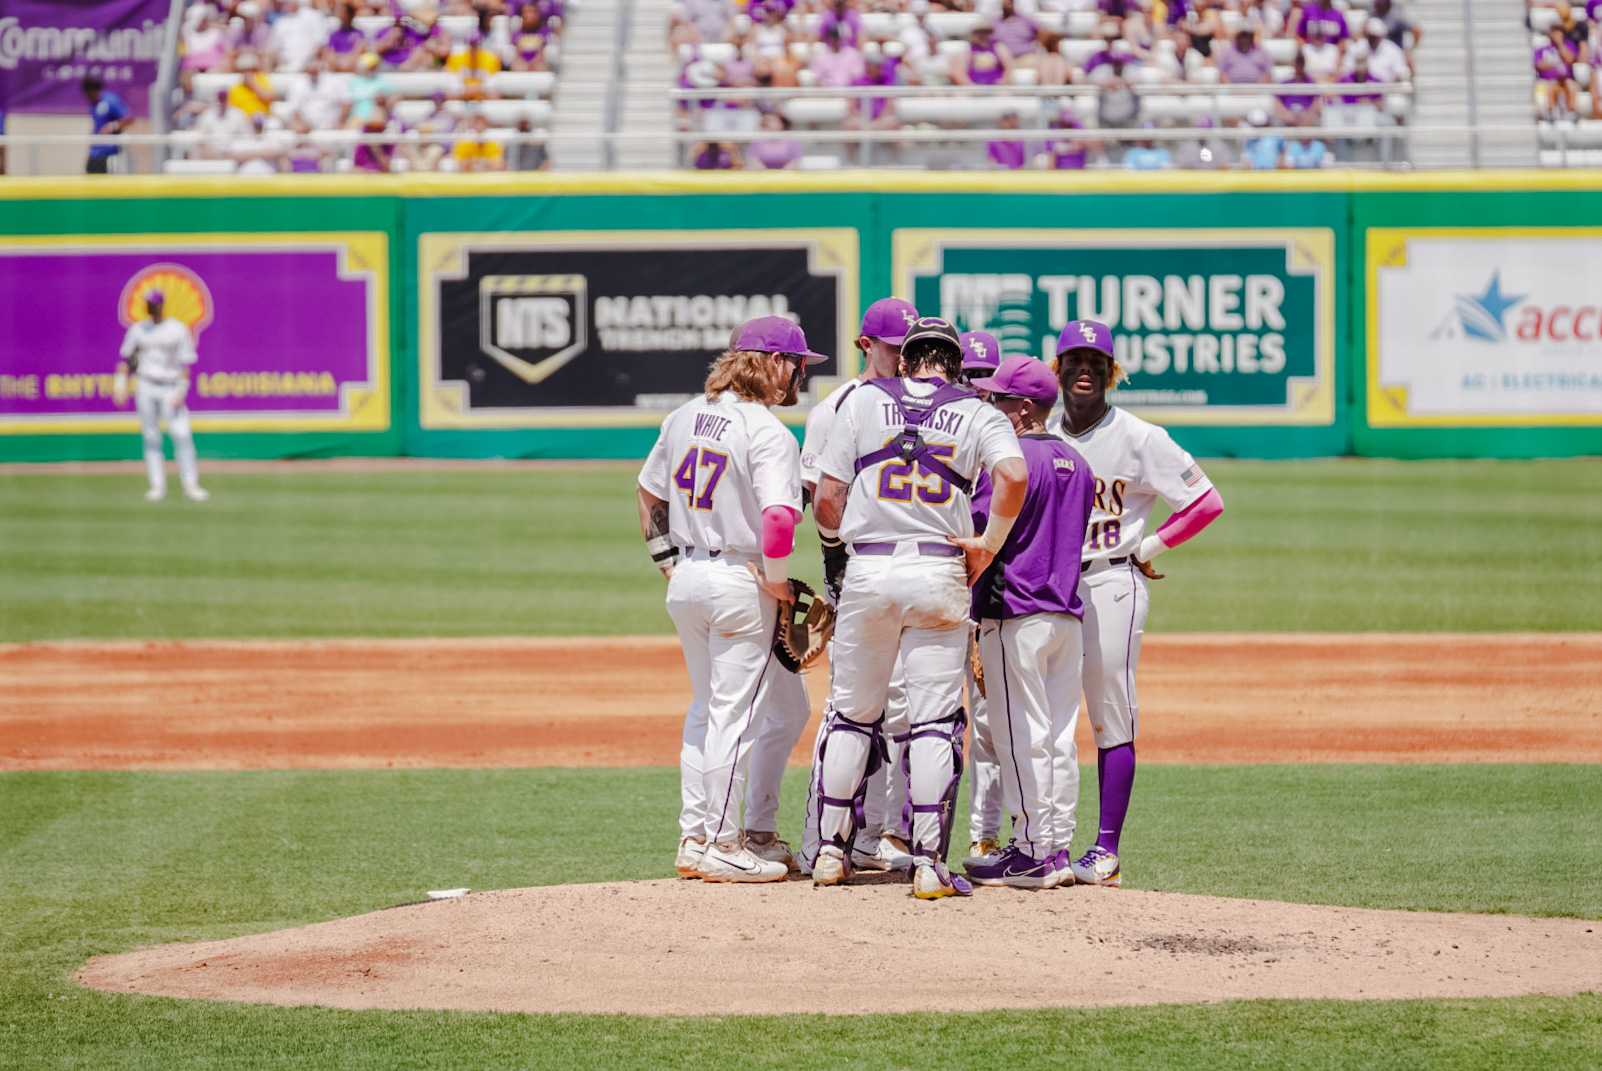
[{"x": 688, "y": 949}]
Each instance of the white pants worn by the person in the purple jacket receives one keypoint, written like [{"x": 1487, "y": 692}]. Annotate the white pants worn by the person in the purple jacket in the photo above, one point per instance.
[{"x": 1032, "y": 676}]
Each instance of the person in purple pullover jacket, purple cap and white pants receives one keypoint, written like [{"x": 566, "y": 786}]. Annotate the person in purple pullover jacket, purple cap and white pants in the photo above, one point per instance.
[{"x": 1031, "y": 636}]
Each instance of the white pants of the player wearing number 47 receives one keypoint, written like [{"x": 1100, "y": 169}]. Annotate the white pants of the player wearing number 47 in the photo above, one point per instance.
[{"x": 727, "y": 628}]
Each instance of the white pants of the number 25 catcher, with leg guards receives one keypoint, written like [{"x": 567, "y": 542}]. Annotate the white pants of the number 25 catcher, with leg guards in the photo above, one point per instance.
[{"x": 912, "y": 609}]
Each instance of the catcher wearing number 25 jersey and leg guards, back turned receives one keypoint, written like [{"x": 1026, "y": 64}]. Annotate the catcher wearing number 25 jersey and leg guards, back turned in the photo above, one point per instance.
[{"x": 895, "y": 492}]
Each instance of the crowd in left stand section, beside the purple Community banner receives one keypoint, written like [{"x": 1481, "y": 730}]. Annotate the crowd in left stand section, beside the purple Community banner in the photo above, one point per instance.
[{"x": 366, "y": 86}]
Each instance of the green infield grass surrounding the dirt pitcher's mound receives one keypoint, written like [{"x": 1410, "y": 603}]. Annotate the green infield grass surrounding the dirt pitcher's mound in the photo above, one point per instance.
[{"x": 105, "y": 862}]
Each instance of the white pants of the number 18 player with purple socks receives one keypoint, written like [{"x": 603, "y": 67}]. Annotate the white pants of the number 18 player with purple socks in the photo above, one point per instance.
[{"x": 1116, "y": 606}]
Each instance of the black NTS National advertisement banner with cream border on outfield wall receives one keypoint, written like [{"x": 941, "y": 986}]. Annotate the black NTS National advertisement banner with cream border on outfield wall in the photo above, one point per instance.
[{"x": 616, "y": 327}]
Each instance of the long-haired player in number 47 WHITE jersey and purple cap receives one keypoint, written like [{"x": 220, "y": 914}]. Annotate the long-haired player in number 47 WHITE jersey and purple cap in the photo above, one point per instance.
[{"x": 720, "y": 497}]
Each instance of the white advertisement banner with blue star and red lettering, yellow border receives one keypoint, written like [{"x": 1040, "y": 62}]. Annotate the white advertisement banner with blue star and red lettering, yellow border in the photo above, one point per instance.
[{"x": 1487, "y": 327}]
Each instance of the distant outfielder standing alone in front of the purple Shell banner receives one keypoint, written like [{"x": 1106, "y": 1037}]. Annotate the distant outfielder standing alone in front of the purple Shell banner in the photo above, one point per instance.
[{"x": 159, "y": 353}]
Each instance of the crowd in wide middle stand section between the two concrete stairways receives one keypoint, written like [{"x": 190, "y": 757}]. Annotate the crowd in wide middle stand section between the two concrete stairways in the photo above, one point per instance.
[{"x": 1125, "y": 65}]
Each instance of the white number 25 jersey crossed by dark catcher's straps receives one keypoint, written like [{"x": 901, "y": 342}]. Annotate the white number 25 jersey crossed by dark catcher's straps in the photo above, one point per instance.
[{"x": 898, "y": 500}]
